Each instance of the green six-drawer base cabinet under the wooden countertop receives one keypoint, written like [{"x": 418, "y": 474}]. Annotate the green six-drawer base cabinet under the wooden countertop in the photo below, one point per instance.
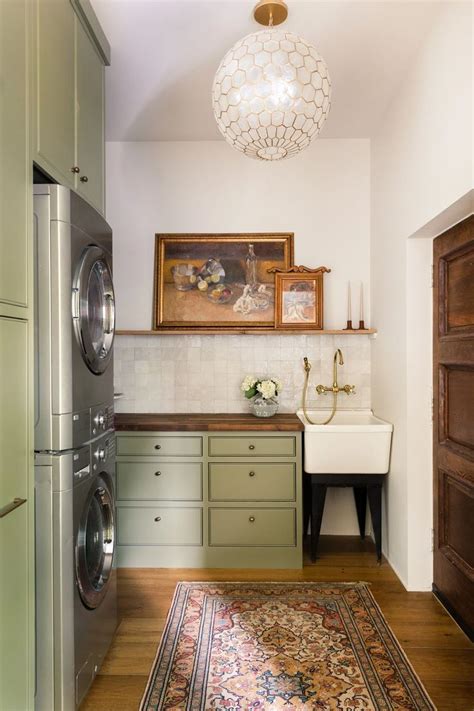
[{"x": 211, "y": 500}]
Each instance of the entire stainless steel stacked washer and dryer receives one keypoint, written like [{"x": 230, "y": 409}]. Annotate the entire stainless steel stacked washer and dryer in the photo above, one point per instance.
[{"x": 76, "y": 607}]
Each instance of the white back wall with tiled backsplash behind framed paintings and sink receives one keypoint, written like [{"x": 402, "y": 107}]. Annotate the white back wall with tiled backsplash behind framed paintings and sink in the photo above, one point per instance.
[{"x": 322, "y": 196}]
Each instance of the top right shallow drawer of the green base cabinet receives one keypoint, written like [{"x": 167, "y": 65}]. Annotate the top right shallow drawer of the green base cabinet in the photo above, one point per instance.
[{"x": 252, "y": 446}]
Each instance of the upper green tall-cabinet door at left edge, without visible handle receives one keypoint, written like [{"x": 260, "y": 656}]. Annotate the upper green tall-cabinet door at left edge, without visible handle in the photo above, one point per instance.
[{"x": 14, "y": 165}]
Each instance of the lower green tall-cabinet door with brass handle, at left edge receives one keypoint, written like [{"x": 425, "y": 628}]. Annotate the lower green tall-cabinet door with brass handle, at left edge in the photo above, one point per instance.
[{"x": 16, "y": 588}]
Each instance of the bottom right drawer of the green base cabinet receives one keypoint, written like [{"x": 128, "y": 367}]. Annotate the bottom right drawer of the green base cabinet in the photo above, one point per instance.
[{"x": 252, "y": 527}]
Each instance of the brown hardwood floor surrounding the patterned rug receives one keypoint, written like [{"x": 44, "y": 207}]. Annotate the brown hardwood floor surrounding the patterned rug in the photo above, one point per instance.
[{"x": 441, "y": 654}]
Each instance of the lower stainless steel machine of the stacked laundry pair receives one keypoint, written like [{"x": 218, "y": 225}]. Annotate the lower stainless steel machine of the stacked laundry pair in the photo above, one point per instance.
[{"x": 76, "y": 596}]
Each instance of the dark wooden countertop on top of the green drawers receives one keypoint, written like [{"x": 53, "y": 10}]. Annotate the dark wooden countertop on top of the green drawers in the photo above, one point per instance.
[{"x": 206, "y": 422}]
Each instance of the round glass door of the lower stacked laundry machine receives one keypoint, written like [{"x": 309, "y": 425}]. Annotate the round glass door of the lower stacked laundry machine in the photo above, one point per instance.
[{"x": 95, "y": 543}]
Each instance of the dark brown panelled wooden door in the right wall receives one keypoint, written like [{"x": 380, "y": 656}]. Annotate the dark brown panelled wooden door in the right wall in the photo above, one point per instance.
[{"x": 453, "y": 432}]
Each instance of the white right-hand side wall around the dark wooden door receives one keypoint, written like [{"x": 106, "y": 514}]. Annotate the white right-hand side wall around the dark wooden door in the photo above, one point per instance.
[{"x": 421, "y": 165}]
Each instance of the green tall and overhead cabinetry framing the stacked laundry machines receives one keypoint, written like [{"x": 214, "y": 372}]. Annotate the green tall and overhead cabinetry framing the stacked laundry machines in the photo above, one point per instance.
[{"x": 52, "y": 58}]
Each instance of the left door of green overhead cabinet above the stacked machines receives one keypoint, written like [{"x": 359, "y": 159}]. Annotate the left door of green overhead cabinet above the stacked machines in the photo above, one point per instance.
[{"x": 55, "y": 89}]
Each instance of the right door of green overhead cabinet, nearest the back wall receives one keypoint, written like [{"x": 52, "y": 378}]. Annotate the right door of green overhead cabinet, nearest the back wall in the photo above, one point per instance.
[{"x": 90, "y": 119}]
